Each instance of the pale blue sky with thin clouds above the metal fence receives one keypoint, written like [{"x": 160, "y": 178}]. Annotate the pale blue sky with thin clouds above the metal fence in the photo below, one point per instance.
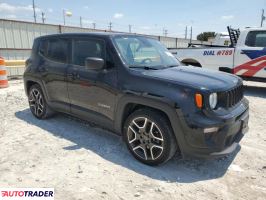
[{"x": 149, "y": 17}]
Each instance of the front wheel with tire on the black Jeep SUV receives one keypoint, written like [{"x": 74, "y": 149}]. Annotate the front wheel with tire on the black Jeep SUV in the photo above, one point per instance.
[{"x": 149, "y": 137}]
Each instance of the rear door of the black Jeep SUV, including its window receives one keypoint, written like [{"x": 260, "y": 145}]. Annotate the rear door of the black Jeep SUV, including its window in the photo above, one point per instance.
[{"x": 54, "y": 54}]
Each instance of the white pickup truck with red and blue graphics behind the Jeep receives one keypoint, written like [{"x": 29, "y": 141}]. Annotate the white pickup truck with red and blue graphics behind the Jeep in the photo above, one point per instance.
[{"x": 245, "y": 57}]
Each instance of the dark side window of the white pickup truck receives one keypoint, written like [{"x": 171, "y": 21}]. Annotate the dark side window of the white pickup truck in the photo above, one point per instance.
[{"x": 256, "y": 39}]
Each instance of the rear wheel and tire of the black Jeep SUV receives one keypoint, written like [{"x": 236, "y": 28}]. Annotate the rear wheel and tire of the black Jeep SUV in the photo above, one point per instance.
[{"x": 38, "y": 105}]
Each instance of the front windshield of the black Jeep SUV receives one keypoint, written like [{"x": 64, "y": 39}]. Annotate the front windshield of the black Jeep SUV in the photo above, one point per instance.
[{"x": 142, "y": 52}]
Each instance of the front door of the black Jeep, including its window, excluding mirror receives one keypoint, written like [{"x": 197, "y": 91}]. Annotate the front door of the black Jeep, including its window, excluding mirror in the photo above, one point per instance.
[{"x": 92, "y": 93}]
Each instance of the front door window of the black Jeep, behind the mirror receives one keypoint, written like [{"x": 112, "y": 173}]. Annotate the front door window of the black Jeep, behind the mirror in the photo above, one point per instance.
[{"x": 83, "y": 48}]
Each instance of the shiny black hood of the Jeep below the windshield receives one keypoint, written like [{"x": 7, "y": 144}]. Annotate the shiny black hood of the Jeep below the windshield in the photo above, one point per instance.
[{"x": 196, "y": 77}]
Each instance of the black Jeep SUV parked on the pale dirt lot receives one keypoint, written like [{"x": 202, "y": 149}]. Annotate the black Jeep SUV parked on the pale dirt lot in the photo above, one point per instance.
[{"x": 135, "y": 87}]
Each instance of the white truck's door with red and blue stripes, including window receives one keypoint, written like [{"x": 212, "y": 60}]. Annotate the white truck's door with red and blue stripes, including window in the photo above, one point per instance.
[{"x": 250, "y": 58}]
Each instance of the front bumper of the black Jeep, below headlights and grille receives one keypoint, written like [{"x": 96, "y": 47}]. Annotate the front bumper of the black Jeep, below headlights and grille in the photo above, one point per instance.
[{"x": 222, "y": 142}]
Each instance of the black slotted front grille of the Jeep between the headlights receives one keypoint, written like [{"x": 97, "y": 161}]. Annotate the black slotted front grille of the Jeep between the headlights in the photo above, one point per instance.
[{"x": 230, "y": 98}]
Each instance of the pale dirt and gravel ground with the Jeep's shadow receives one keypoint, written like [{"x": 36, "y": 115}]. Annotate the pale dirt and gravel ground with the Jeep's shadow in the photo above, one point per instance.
[{"x": 85, "y": 162}]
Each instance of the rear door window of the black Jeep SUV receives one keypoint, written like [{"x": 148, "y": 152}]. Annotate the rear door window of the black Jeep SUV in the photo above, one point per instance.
[{"x": 54, "y": 49}]
